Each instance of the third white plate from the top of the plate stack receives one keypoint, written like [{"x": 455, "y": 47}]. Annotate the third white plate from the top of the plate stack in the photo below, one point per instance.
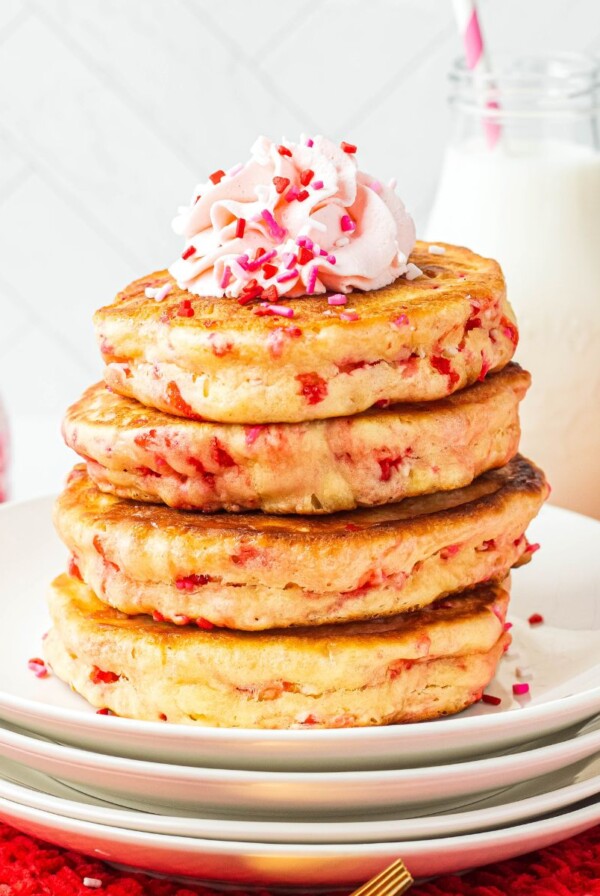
[{"x": 550, "y": 793}]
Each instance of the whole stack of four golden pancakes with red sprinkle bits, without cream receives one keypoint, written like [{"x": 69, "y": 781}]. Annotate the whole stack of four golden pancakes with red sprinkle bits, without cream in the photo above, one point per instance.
[{"x": 296, "y": 522}]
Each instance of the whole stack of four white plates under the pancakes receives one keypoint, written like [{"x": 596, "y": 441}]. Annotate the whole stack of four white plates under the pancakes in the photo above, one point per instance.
[{"x": 312, "y": 807}]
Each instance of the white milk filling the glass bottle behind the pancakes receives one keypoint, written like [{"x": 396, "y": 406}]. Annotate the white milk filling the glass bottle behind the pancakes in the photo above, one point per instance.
[{"x": 536, "y": 208}]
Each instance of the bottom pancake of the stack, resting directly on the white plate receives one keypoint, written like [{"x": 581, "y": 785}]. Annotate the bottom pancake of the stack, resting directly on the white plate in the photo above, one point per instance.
[{"x": 405, "y": 669}]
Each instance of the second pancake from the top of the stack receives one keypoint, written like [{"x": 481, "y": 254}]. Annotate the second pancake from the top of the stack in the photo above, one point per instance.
[{"x": 322, "y": 466}]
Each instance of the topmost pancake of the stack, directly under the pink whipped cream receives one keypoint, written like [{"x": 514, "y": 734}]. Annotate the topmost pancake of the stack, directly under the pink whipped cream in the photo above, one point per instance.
[{"x": 414, "y": 340}]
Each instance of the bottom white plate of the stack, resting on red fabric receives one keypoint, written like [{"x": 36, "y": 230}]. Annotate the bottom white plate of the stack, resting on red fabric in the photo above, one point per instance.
[{"x": 291, "y": 864}]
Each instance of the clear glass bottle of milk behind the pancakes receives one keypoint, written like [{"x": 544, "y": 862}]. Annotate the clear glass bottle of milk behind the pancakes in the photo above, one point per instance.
[{"x": 521, "y": 183}]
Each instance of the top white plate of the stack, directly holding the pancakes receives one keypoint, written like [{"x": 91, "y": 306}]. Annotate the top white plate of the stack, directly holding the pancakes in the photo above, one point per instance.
[{"x": 561, "y": 583}]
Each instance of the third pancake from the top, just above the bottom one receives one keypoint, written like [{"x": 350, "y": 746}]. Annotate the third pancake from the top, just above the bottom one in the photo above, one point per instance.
[{"x": 258, "y": 571}]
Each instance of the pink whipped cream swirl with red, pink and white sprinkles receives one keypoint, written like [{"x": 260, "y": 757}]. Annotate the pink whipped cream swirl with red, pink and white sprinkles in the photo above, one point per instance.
[{"x": 297, "y": 219}]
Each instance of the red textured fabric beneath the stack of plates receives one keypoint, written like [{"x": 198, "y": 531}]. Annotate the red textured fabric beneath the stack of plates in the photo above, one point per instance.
[{"x": 29, "y": 867}]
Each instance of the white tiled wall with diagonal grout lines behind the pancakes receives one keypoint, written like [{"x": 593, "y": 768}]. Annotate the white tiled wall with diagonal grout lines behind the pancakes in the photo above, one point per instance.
[{"x": 110, "y": 111}]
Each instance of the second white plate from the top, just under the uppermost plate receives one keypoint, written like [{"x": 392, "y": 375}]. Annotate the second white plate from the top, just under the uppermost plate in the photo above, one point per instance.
[{"x": 289, "y": 794}]
